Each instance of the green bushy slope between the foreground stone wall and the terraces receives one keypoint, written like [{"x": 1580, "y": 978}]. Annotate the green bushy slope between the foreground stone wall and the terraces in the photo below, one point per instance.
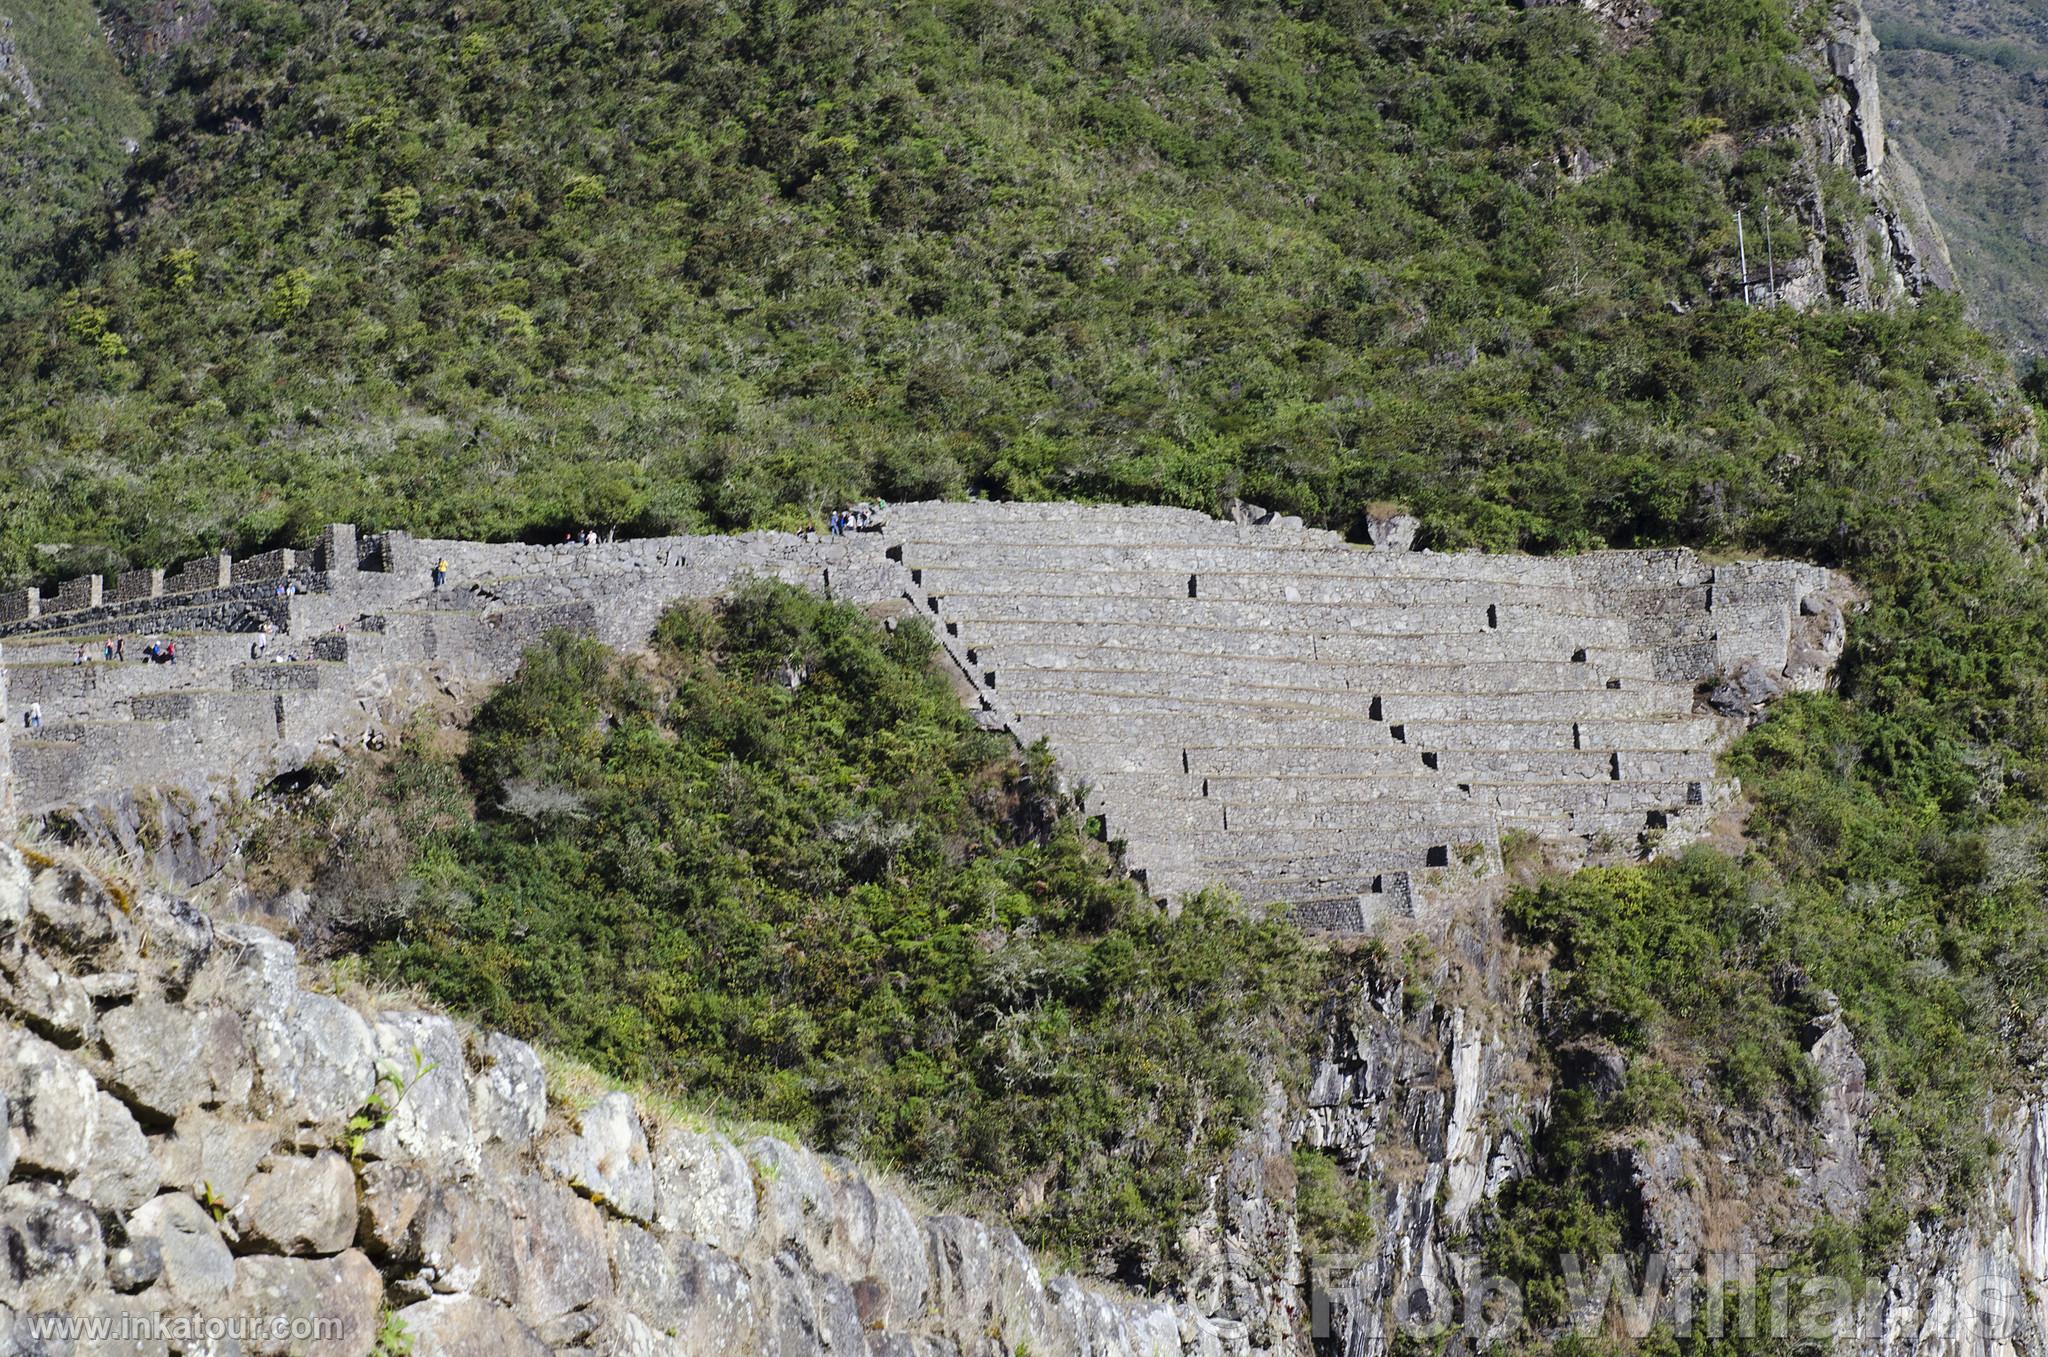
[{"x": 839, "y": 908}]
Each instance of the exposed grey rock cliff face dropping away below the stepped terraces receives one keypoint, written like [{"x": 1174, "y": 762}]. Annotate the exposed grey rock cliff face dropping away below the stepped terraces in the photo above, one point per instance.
[{"x": 1437, "y": 1082}]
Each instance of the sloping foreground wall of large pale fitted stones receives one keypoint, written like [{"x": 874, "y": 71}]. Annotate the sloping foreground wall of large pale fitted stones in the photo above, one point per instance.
[{"x": 216, "y": 1155}]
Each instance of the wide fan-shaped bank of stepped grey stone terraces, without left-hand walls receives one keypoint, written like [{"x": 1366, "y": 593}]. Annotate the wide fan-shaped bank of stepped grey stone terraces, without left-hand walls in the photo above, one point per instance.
[{"x": 1351, "y": 730}]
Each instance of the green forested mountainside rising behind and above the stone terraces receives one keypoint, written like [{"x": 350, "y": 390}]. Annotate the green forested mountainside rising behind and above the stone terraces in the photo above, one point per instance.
[{"x": 497, "y": 269}]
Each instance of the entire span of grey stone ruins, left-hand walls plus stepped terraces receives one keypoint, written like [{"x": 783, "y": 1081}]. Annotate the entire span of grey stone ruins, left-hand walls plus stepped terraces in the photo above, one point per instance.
[{"x": 1258, "y": 705}]
